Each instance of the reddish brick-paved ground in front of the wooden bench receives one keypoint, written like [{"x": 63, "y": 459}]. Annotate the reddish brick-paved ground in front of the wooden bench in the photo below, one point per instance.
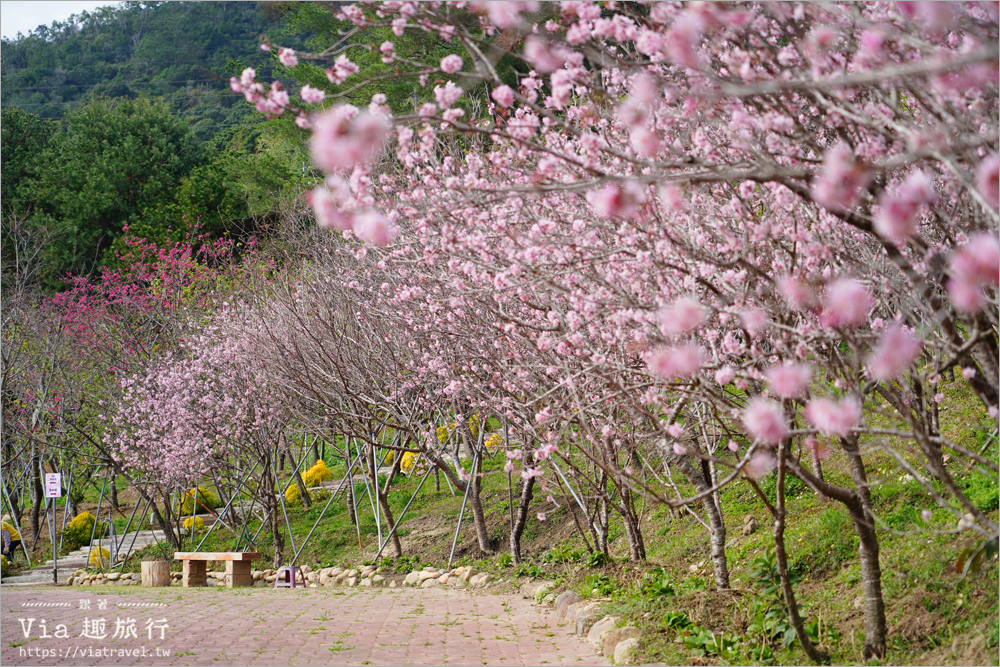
[{"x": 266, "y": 627}]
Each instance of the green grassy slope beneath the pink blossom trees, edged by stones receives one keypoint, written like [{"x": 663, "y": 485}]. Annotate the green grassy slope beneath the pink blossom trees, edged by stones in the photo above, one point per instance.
[{"x": 935, "y": 616}]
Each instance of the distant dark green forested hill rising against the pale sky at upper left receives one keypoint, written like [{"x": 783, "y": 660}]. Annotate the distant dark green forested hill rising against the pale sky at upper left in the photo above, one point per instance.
[{"x": 182, "y": 52}]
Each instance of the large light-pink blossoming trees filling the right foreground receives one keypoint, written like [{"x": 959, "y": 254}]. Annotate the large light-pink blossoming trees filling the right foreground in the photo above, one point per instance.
[{"x": 718, "y": 239}]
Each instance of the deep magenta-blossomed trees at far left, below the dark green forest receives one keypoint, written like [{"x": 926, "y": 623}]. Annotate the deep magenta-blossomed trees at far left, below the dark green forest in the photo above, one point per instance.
[{"x": 63, "y": 355}]
